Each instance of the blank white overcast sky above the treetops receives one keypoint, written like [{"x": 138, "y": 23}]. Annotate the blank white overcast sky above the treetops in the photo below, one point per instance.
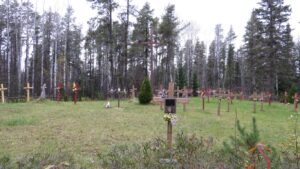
[{"x": 203, "y": 14}]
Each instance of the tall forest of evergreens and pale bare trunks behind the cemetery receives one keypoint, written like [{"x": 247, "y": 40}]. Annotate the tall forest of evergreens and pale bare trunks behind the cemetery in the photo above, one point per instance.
[{"x": 118, "y": 52}]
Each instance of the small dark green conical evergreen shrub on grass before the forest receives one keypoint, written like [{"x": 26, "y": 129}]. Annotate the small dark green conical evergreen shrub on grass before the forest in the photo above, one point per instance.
[{"x": 145, "y": 95}]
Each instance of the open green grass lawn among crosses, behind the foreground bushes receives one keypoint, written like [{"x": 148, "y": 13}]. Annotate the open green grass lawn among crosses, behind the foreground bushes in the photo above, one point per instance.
[{"x": 88, "y": 128}]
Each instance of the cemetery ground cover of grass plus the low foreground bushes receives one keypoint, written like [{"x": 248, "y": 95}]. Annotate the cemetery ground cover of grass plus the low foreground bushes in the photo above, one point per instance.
[{"x": 86, "y": 135}]
